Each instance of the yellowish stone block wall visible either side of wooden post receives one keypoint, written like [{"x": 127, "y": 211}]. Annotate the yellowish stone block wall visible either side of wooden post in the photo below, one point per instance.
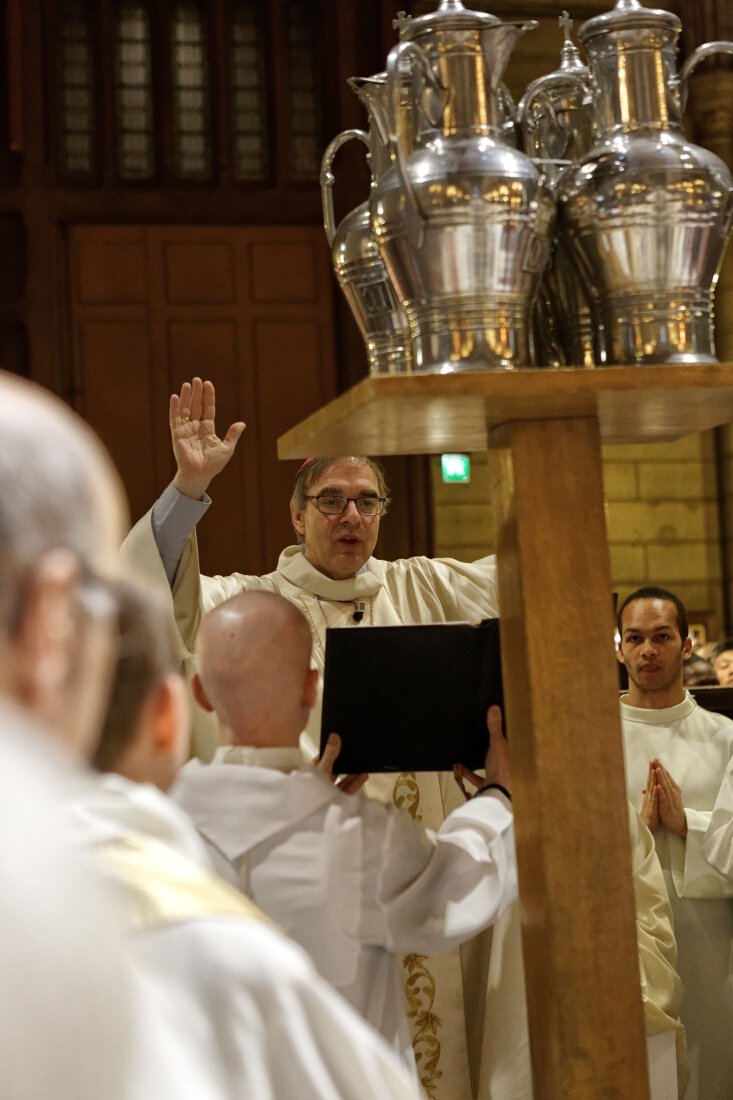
[{"x": 662, "y": 513}]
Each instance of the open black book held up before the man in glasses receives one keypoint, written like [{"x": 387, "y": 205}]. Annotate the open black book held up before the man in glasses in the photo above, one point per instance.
[{"x": 411, "y": 698}]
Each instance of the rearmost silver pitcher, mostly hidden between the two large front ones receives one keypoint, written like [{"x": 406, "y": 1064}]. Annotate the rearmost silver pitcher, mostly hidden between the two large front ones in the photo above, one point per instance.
[{"x": 555, "y": 118}]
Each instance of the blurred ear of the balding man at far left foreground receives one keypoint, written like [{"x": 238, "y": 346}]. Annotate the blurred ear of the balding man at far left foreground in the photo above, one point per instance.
[{"x": 45, "y": 640}]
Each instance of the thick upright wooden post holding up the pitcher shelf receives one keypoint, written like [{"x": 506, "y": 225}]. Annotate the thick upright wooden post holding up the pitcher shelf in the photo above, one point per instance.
[{"x": 586, "y": 1018}]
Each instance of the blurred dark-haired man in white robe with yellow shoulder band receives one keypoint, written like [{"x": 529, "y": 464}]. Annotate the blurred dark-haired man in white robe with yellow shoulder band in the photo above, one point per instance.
[{"x": 239, "y": 1007}]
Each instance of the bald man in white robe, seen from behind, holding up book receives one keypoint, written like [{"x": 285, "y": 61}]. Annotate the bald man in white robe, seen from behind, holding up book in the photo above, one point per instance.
[{"x": 353, "y": 881}]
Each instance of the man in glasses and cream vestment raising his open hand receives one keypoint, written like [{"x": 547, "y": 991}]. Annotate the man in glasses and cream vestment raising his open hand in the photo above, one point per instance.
[{"x": 334, "y": 578}]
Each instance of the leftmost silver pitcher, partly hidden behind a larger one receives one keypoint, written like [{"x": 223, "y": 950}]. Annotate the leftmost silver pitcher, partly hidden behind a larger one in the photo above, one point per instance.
[{"x": 356, "y": 257}]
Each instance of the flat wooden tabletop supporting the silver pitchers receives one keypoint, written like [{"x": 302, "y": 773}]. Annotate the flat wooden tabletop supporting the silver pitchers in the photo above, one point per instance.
[{"x": 428, "y": 414}]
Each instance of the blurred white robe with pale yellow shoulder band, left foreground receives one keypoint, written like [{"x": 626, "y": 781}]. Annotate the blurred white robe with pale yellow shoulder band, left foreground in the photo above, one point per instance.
[{"x": 242, "y": 1007}]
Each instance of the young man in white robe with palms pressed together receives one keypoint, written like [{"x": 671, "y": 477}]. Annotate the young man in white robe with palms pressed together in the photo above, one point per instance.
[{"x": 676, "y": 758}]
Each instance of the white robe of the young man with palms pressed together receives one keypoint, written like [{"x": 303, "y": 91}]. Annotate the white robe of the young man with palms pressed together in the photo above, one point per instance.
[{"x": 695, "y": 746}]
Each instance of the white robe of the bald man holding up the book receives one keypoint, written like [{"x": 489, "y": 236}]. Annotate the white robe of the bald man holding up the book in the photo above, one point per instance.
[{"x": 354, "y": 882}]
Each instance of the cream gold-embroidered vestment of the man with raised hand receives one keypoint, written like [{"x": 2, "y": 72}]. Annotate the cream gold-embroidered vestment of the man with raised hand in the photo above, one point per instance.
[{"x": 445, "y": 994}]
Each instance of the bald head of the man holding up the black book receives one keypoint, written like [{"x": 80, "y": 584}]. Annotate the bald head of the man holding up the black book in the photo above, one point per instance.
[{"x": 255, "y": 669}]
